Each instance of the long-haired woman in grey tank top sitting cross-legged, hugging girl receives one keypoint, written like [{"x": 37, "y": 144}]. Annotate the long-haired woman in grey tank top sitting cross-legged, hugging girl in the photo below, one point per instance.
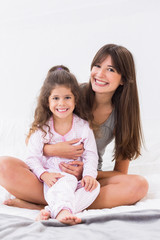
[{"x": 111, "y": 98}]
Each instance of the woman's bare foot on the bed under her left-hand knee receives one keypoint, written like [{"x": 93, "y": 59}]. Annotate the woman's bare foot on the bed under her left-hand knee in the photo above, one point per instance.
[{"x": 22, "y": 204}]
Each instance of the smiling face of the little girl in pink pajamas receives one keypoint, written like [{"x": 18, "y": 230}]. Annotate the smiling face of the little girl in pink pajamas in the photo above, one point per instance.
[{"x": 61, "y": 102}]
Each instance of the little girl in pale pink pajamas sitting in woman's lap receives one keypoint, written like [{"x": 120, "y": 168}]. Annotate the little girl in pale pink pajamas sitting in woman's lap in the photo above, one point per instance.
[{"x": 57, "y": 119}]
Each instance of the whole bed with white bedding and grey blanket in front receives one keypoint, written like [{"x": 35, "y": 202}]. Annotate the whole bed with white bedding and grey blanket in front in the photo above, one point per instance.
[{"x": 138, "y": 221}]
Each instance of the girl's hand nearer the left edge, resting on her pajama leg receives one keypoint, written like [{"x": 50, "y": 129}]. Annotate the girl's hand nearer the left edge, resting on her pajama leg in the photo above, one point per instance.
[{"x": 50, "y": 178}]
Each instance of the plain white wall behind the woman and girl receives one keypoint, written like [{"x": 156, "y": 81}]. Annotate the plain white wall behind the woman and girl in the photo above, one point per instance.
[{"x": 37, "y": 34}]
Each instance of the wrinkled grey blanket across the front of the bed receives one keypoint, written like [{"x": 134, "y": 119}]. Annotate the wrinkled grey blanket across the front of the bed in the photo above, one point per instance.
[{"x": 137, "y": 225}]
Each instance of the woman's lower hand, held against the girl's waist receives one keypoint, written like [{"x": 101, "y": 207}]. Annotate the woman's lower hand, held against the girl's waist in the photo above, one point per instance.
[{"x": 72, "y": 169}]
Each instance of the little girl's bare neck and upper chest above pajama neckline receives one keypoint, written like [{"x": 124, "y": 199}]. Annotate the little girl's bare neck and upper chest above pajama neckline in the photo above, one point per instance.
[{"x": 63, "y": 125}]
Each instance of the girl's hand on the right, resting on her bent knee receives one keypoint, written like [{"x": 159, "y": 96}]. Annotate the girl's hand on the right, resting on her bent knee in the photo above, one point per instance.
[{"x": 89, "y": 183}]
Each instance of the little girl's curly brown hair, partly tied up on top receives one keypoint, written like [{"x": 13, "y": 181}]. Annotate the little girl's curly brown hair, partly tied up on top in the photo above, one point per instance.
[{"x": 57, "y": 75}]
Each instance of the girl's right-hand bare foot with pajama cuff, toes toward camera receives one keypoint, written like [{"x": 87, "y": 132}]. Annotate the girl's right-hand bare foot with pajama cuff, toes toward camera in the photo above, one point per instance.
[{"x": 66, "y": 217}]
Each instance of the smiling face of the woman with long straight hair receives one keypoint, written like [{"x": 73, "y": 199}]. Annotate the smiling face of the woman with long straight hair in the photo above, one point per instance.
[{"x": 104, "y": 77}]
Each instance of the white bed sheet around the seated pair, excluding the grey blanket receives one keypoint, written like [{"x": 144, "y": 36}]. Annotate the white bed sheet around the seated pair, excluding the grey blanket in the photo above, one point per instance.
[{"x": 12, "y": 142}]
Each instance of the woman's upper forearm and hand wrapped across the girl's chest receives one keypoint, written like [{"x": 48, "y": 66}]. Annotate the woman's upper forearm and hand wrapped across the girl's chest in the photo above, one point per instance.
[{"x": 64, "y": 149}]
